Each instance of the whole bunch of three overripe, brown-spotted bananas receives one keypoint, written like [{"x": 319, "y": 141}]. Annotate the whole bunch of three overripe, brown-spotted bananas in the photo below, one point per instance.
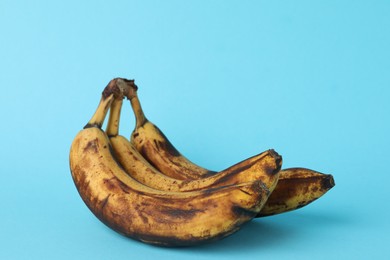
[{"x": 144, "y": 188}]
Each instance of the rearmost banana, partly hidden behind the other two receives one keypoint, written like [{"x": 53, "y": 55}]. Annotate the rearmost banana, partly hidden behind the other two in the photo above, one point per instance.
[{"x": 297, "y": 187}]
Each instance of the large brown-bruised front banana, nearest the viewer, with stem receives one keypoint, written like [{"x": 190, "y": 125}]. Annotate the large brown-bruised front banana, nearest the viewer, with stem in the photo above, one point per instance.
[{"x": 146, "y": 214}]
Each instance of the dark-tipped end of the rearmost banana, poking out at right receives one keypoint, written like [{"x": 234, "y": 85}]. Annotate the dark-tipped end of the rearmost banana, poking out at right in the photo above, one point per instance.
[{"x": 297, "y": 187}]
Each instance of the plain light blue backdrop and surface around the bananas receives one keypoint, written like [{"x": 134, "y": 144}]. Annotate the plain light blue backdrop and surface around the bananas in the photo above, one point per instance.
[{"x": 224, "y": 80}]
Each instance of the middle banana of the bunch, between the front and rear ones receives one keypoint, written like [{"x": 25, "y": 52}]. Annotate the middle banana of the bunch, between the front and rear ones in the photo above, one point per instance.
[{"x": 264, "y": 167}]
